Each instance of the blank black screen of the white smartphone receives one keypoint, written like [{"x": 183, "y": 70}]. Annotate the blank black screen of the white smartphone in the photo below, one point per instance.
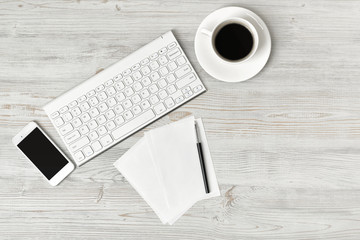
[{"x": 37, "y": 147}]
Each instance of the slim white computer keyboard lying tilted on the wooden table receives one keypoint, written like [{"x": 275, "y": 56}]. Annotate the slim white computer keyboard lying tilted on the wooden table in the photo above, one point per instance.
[{"x": 124, "y": 98}]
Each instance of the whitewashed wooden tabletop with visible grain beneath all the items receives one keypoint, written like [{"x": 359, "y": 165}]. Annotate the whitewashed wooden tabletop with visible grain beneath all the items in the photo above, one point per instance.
[{"x": 285, "y": 145}]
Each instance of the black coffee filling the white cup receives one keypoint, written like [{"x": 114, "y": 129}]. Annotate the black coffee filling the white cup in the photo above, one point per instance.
[{"x": 234, "y": 41}]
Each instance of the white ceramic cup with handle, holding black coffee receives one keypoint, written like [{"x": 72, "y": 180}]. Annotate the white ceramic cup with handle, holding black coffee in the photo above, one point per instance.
[{"x": 213, "y": 32}]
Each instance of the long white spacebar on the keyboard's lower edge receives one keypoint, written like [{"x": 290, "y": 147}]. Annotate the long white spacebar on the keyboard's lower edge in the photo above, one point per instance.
[{"x": 133, "y": 124}]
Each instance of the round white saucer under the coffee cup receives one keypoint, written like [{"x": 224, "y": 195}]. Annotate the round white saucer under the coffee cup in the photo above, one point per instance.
[{"x": 232, "y": 72}]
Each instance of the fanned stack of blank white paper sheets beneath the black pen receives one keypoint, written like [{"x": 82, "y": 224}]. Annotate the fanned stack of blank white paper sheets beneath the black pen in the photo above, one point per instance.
[{"x": 165, "y": 170}]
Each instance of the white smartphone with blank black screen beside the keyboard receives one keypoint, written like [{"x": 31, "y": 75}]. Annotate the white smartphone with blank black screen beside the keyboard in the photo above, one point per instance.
[{"x": 43, "y": 153}]
